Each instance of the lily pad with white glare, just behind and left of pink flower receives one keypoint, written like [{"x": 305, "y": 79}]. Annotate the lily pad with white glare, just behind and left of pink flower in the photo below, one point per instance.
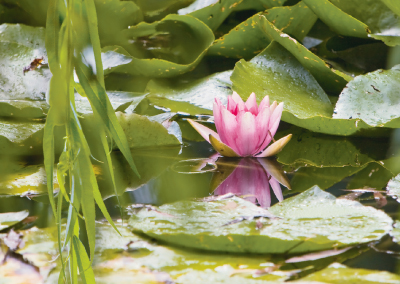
[{"x": 193, "y": 97}]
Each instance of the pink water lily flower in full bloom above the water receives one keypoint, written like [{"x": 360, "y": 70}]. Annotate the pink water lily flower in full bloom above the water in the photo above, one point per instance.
[{"x": 244, "y": 128}]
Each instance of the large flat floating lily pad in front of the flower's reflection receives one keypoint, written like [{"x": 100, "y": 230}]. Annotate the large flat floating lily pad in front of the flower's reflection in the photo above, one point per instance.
[{"x": 313, "y": 220}]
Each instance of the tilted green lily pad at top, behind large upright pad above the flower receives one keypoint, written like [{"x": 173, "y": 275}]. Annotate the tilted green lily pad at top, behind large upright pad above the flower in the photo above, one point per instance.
[{"x": 248, "y": 39}]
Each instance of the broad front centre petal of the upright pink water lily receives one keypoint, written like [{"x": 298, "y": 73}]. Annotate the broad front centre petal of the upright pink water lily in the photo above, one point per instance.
[{"x": 246, "y": 134}]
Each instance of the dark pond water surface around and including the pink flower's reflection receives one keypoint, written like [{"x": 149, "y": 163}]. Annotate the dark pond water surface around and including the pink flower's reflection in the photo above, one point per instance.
[{"x": 194, "y": 170}]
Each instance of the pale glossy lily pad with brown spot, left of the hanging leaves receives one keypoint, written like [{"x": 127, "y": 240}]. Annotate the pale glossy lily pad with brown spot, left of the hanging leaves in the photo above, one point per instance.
[{"x": 22, "y": 93}]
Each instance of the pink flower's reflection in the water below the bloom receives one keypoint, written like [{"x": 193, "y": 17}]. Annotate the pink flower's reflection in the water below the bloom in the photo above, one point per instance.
[{"x": 250, "y": 178}]
